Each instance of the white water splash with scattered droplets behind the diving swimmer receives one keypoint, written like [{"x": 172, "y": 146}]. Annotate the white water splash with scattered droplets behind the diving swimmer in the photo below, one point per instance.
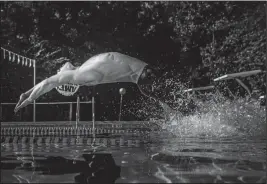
[{"x": 207, "y": 115}]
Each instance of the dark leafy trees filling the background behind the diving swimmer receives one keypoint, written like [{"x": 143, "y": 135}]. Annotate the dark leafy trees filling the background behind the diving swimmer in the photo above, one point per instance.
[{"x": 193, "y": 42}]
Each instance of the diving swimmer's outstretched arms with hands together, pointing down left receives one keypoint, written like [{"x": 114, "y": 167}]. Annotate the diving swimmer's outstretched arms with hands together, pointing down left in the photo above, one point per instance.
[{"x": 40, "y": 89}]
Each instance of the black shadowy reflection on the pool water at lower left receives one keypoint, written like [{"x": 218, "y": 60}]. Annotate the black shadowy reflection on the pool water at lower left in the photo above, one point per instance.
[{"x": 96, "y": 167}]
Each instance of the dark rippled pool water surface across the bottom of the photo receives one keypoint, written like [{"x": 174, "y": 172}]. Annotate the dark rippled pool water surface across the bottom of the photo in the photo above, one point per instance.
[{"x": 159, "y": 157}]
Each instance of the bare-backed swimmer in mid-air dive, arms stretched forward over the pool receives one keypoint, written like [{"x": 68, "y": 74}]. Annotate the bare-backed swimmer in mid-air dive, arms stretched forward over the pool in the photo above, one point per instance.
[{"x": 104, "y": 68}]
